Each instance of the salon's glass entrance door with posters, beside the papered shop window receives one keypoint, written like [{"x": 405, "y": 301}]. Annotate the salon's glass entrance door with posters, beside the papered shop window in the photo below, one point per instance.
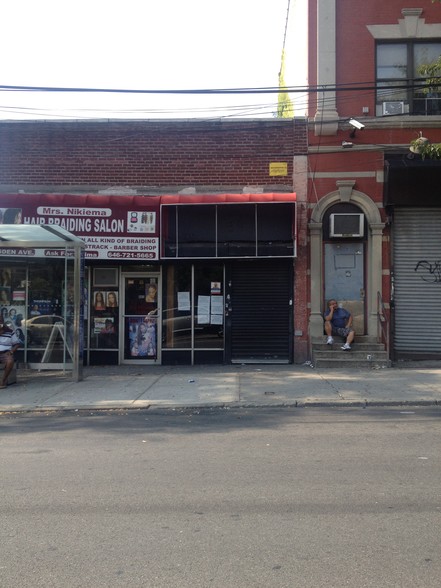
[{"x": 140, "y": 319}]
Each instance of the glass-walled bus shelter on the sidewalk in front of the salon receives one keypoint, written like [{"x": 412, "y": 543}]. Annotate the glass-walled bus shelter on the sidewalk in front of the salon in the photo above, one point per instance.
[{"x": 41, "y": 294}]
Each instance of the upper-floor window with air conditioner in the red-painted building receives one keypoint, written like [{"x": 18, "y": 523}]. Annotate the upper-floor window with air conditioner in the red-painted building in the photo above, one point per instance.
[{"x": 397, "y": 70}]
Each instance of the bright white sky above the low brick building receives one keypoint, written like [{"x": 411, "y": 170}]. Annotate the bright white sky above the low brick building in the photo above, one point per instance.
[{"x": 149, "y": 45}]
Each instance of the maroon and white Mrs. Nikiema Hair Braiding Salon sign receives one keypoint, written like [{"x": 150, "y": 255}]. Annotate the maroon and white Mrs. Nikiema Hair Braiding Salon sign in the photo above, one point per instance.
[{"x": 113, "y": 227}]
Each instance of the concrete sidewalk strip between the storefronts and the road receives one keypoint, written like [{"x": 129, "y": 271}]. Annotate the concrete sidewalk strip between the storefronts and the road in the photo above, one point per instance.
[{"x": 130, "y": 387}]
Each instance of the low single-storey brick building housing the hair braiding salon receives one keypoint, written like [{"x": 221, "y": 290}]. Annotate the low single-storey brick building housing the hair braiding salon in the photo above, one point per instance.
[{"x": 192, "y": 251}]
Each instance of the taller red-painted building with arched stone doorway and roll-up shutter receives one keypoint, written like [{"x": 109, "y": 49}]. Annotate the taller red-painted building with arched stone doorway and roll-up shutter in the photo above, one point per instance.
[{"x": 374, "y": 206}]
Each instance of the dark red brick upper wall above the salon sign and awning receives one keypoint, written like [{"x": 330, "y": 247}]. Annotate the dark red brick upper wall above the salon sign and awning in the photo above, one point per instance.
[{"x": 146, "y": 153}]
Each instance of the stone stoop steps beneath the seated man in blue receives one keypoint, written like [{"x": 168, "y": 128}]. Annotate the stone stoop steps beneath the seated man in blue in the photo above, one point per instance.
[{"x": 366, "y": 352}]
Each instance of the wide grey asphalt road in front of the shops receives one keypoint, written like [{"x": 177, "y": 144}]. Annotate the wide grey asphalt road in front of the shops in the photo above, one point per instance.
[{"x": 221, "y": 498}]
